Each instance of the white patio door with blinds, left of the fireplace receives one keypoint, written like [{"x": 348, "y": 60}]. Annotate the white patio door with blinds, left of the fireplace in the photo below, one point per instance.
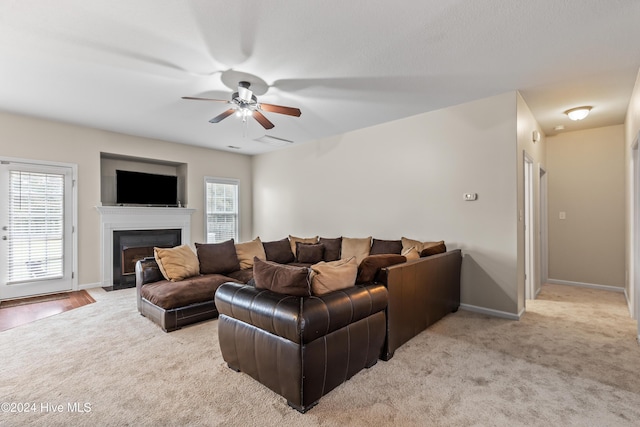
[{"x": 36, "y": 229}]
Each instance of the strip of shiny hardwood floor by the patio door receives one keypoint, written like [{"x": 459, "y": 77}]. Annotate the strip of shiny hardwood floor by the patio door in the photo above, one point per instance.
[{"x": 18, "y": 312}]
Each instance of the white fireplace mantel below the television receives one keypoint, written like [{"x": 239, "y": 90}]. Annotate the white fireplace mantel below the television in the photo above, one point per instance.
[{"x": 116, "y": 218}]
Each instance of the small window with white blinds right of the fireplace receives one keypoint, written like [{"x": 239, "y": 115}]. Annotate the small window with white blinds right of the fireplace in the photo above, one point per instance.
[{"x": 221, "y": 201}]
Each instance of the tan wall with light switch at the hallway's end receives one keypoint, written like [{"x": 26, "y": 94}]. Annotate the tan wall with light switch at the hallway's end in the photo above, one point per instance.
[{"x": 586, "y": 181}]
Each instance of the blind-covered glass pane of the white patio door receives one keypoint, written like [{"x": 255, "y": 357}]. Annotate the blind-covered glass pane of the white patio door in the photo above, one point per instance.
[{"x": 36, "y": 226}]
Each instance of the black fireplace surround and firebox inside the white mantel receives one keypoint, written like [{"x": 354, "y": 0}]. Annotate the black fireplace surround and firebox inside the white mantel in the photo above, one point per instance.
[{"x": 129, "y": 246}]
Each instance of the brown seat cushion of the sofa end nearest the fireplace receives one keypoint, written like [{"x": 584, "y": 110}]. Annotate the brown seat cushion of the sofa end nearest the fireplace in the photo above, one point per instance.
[{"x": 169, "y": 295}]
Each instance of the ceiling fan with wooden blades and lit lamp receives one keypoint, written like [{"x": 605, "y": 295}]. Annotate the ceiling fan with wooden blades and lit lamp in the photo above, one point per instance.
[{"x": 245, "y": 104}]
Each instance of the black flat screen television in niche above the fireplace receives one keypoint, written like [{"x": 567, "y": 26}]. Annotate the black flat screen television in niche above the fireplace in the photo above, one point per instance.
[{"x": 149, "y": 189}]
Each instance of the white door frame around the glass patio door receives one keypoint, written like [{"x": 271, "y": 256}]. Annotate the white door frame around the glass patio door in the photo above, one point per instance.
[{"x": 73, "y": 209}]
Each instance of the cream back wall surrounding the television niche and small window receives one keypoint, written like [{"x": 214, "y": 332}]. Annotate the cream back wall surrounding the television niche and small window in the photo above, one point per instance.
[{"x": 31, "y": 138}]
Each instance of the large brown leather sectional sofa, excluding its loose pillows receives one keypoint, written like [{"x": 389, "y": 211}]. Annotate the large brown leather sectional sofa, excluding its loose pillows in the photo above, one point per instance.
[{"x": 303, "y": 347}]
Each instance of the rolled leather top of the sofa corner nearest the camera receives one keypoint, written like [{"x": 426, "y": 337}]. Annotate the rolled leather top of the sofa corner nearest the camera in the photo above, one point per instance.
[{"x": 299, "y": 319}]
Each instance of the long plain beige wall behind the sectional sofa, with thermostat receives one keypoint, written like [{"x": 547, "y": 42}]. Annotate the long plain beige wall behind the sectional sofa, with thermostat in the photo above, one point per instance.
[{"x": 407, "y": 178}]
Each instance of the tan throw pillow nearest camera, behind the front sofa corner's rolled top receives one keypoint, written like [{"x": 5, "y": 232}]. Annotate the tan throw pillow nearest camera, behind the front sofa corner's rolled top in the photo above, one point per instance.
[{"x": 332, "y": 276}]
